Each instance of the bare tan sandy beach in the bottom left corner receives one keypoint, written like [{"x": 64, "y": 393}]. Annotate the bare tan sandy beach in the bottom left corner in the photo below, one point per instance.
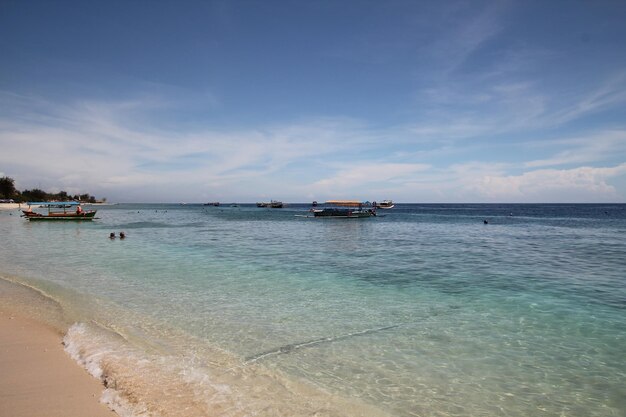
[{"x": 38, "y": 378}]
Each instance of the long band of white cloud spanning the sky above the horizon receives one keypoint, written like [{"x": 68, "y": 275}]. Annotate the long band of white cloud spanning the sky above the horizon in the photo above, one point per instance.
[{"x": 97, "y": 147}]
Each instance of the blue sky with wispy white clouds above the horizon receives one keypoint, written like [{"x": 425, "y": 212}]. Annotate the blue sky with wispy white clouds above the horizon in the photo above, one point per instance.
[{"x": 244, "y": 101}]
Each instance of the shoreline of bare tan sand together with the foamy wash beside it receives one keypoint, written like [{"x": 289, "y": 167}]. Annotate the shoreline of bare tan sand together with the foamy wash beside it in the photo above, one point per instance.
[{"x": 59, "y": 358}]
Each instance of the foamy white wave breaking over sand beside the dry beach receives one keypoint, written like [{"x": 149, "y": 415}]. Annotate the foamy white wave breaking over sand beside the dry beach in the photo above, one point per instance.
[{"x": 149, "y": 384}]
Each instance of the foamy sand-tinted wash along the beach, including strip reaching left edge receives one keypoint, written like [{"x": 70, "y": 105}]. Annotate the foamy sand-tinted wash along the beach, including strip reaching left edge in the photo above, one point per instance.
[{"x": 180, "y": 376}]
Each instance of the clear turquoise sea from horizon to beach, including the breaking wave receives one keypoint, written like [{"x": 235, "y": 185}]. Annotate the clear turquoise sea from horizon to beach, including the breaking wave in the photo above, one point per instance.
[{"x": 425, "y": 310}]
